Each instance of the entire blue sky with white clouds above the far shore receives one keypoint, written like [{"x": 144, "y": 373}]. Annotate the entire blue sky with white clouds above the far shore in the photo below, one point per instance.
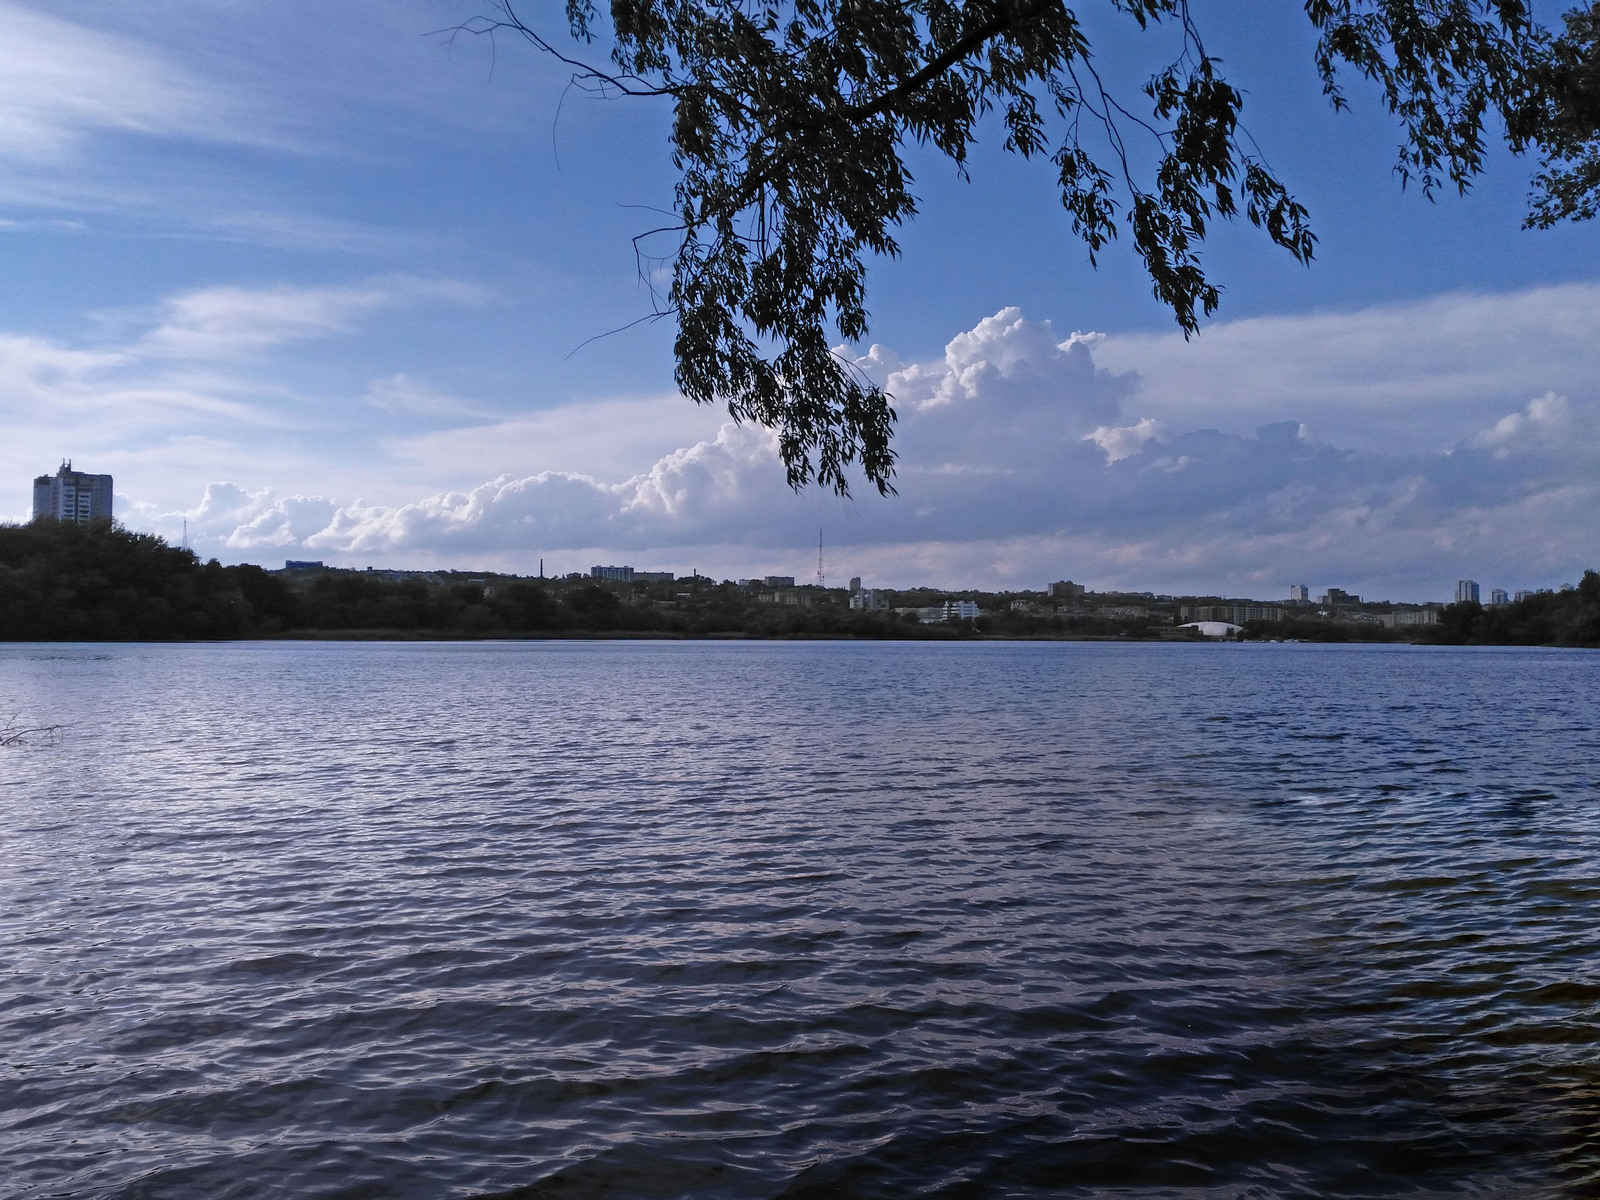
[{"x": 322, "y": 282}]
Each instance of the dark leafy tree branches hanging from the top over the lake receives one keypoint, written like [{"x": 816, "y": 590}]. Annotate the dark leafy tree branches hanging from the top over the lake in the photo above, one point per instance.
[{"x": 791, "y": 119}]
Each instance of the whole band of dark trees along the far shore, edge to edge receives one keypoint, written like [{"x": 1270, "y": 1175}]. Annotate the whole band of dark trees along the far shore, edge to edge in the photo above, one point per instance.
[{"x": 102, "y": 583}]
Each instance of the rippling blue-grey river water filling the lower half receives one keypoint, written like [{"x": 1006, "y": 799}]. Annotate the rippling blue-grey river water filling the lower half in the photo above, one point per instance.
[{"x": 801, "y": 921}]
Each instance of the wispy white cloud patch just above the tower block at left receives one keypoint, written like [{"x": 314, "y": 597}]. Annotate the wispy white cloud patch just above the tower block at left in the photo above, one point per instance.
[{"x": 212, "y": 374}]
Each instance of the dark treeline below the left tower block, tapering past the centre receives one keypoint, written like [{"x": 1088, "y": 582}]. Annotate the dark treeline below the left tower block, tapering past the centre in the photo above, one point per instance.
[{"x": 70, "y": 583}]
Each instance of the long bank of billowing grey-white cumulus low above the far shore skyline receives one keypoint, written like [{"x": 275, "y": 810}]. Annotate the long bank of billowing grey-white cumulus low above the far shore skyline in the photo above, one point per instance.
[{"x": 1022, "y": 458}]
